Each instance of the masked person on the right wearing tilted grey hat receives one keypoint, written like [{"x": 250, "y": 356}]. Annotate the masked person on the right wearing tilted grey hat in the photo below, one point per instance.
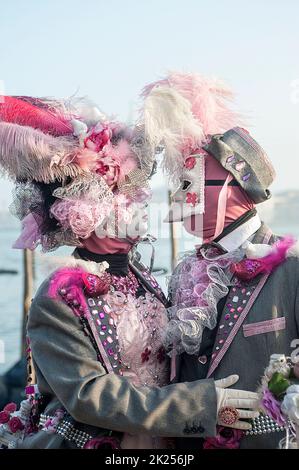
[{"x": 234, "y": 301}]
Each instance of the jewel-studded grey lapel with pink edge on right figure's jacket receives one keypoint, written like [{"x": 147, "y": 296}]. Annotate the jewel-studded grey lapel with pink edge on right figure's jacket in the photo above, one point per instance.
[{"x": 238, "y": 304}]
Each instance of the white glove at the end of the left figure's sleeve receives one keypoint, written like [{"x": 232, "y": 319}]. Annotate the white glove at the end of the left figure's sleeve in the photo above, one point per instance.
[{"x": 246, "y": 403}]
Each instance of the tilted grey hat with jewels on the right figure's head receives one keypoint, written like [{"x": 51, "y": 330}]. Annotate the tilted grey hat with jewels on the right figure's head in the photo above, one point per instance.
[{"x": 244, "y": 158}]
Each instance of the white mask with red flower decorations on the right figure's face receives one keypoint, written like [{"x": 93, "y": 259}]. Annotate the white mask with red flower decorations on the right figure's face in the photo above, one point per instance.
[{"x": 189, "y": 198}]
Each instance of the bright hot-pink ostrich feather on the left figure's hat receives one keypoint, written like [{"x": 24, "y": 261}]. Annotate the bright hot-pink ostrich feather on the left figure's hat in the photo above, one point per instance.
[{"x": 33, "y": 113}]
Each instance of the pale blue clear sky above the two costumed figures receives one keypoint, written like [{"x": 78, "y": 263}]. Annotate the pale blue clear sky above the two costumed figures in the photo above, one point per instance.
[{"x": 108, "y": 50}]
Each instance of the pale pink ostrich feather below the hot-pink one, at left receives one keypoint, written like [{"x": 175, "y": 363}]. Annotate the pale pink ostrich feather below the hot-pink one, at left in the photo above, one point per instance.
[{"x": 29, "y": 154}]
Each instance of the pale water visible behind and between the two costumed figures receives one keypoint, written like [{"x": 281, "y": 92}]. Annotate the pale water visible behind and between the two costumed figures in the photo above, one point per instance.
[{"x": 11, "y": 286}]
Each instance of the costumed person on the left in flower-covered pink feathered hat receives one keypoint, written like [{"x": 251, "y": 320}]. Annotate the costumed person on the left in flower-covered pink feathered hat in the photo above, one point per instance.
[{"x": 96, "y": 325}]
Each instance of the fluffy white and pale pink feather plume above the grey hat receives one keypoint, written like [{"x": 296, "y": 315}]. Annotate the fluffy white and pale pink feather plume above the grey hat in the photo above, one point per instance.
[{"x": 180, "y": 112}]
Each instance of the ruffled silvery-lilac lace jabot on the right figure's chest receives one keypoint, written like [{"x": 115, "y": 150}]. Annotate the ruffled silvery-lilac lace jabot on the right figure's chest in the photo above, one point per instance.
[{"x": 195, "y": 288}]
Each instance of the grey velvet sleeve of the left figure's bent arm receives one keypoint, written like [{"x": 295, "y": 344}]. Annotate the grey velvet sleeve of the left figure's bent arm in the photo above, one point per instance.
[{"x": 67, "y": 361}]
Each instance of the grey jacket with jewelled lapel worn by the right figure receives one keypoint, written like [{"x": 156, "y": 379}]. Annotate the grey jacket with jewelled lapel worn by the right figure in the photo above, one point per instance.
[{"x": 268, "y": 325}]
